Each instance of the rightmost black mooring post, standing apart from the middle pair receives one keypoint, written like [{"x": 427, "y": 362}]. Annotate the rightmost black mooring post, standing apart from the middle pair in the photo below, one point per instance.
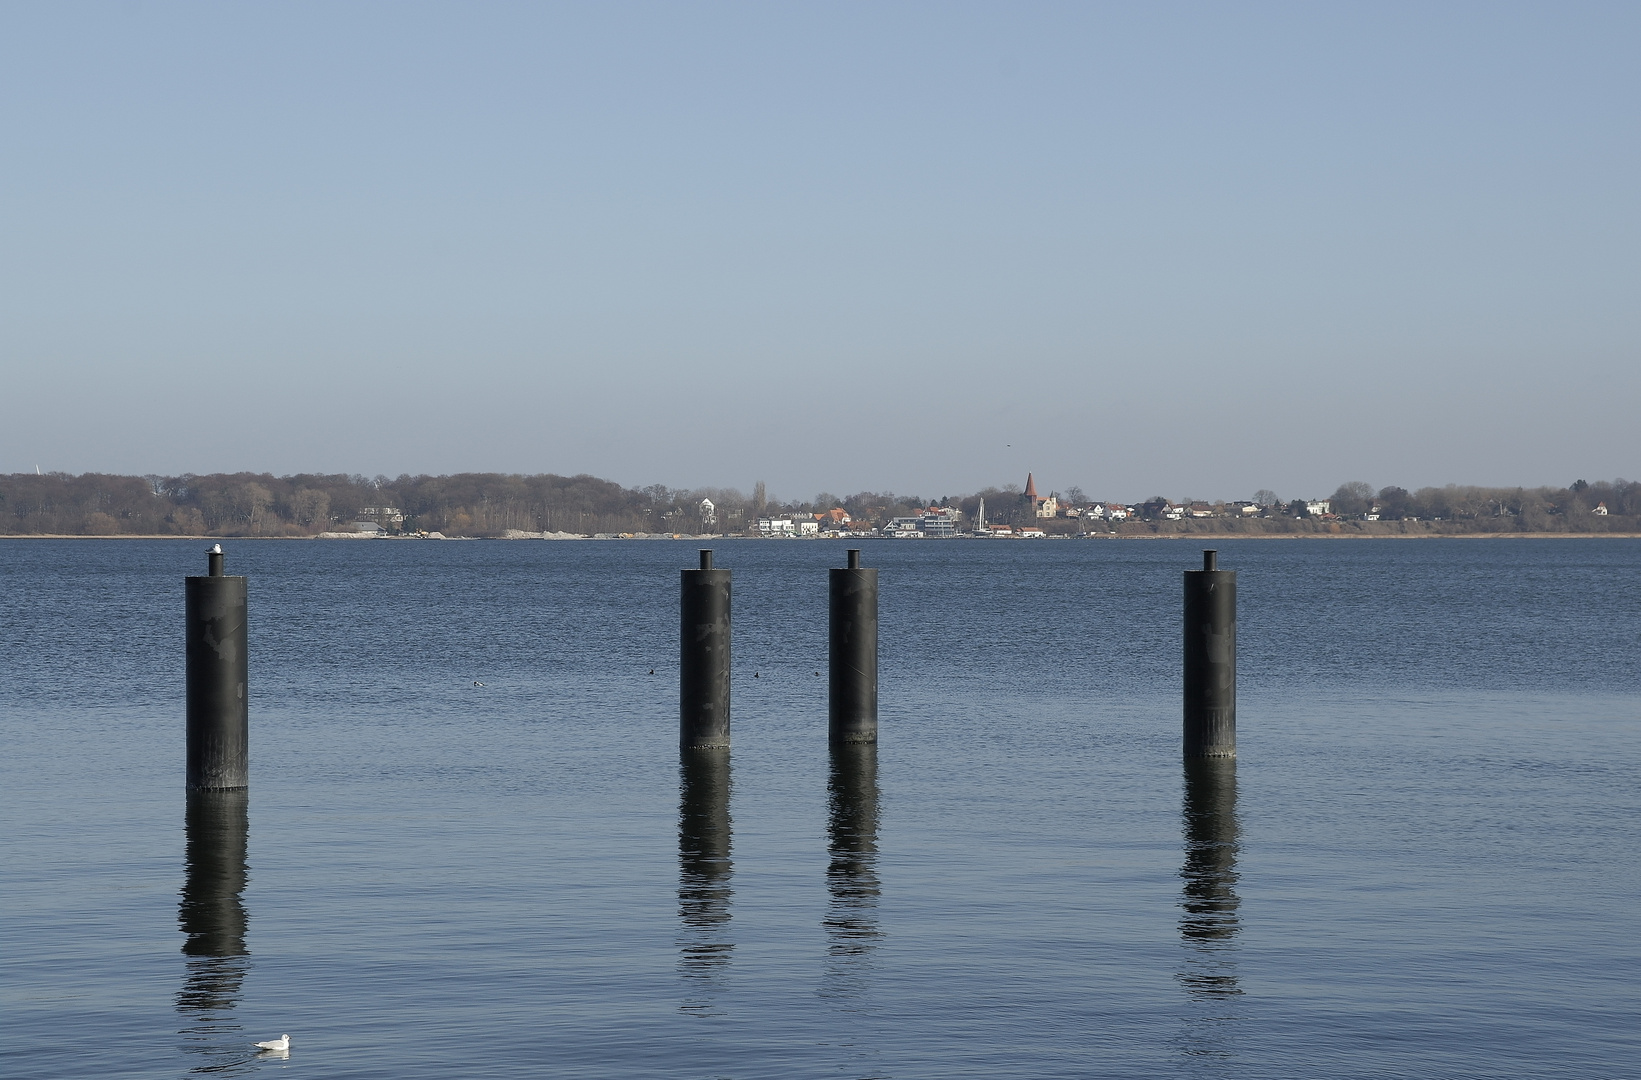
[{"x": 1210, "y": 661}]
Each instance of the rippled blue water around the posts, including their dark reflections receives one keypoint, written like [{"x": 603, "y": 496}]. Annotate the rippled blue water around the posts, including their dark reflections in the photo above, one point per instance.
[{"x": 1422, "y": 866}]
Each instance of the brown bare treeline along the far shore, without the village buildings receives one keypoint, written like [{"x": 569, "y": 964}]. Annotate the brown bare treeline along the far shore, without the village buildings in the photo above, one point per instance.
[{"x": 490, "y": 505}]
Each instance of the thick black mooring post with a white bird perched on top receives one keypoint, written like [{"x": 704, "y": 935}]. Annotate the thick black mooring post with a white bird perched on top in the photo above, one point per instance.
[{"x": 219, "y": 708}]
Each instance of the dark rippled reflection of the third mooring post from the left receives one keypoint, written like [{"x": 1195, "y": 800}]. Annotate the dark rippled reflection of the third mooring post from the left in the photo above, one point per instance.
[{"x": 852, "y": 874}]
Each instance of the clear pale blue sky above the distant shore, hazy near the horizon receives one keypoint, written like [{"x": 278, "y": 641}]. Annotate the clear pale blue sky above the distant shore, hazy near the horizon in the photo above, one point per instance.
[{"x": 1146, "y": 249}]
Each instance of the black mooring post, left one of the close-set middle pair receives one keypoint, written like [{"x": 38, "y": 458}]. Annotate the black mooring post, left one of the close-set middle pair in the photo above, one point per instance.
[{"x": 703, "y": 662}]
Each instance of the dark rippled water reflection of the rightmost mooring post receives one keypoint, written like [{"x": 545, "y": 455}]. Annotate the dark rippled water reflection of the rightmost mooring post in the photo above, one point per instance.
[{"x": 1209, "y": 923}]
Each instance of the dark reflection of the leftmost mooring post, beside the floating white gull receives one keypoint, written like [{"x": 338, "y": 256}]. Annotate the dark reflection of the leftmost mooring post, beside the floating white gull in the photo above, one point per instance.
[{"x": 214, "y": 920}]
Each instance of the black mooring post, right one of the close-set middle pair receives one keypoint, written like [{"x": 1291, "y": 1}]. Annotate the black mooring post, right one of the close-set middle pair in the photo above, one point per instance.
[{"x": 852, "y": 639}]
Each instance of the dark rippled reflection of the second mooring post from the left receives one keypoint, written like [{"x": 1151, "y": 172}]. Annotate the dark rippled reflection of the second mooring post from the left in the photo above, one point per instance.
[{"x": 705, "y": 874}]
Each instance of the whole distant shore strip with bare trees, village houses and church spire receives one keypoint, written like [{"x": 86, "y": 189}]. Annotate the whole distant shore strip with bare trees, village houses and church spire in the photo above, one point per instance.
[{"x": 562, "y": 508}]
